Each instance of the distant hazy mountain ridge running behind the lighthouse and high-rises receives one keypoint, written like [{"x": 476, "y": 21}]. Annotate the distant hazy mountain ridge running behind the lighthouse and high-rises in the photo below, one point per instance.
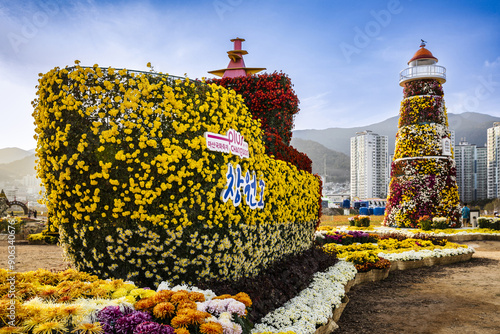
[{"x": 471, "y": 126}]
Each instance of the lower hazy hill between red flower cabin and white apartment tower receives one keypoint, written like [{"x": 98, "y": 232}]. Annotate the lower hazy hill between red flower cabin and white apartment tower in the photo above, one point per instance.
[{"x": 334, "y": 164}]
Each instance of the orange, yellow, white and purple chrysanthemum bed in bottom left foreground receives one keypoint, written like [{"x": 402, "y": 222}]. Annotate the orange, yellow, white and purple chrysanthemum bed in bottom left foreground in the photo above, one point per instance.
[{"x": 76, "y": 302}]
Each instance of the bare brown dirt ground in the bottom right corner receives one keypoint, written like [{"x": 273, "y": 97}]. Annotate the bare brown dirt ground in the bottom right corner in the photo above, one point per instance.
[{"x": 458, "y": 298}]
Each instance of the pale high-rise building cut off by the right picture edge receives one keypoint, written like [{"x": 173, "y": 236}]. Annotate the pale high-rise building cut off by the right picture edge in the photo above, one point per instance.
[{"x": 493, "y": 158}]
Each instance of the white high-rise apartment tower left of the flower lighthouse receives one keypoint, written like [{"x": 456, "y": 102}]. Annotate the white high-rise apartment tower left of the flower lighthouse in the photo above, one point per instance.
[{"x": 369, "y": 154}]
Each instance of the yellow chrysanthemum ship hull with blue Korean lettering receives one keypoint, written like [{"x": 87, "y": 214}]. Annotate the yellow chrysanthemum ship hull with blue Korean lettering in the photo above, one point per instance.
[{"x": 141, "y": 186}]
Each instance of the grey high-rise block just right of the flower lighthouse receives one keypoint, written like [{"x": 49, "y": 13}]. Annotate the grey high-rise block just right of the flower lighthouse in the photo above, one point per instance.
[{"x": 471, "y": 171}]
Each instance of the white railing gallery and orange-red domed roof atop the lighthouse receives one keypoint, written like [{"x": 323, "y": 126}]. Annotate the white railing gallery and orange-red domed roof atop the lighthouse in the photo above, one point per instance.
[{"x": 422, "y": 66}]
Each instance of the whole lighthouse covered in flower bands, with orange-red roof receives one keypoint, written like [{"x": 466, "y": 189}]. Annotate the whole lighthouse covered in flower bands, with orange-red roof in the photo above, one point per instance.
[{"x": 423, "y": 172}]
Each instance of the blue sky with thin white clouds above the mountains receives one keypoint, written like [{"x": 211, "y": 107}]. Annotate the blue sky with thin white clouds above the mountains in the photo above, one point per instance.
[{"x": 343, "y": 57}]
